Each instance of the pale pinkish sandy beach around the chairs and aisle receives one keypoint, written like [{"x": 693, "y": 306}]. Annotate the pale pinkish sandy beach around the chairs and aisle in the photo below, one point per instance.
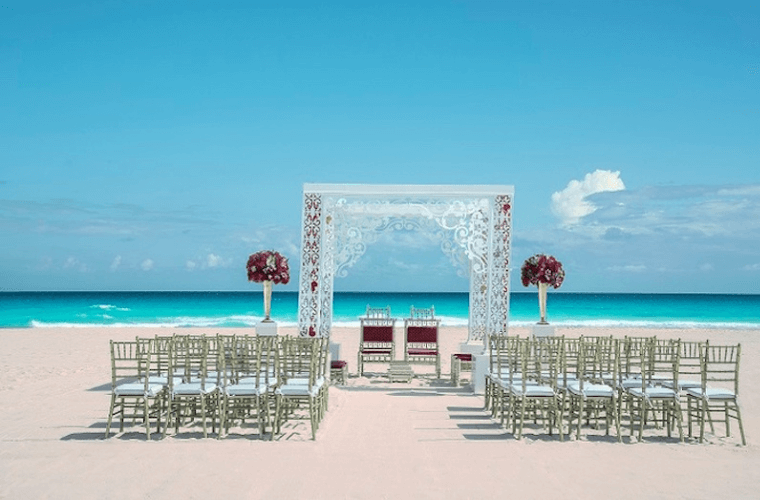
[{"x": 425, "y": 439}]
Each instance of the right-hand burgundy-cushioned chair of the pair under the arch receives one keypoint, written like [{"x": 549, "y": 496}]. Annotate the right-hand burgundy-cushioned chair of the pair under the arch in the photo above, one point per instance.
[{"x": 421, "y": 339}]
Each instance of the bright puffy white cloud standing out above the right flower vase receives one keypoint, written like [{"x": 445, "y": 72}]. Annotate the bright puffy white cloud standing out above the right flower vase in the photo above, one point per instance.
[{"x": 571, "y": 205}]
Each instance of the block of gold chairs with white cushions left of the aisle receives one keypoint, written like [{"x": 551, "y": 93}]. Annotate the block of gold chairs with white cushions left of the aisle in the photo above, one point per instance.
[{"x": 218, "y": 380}]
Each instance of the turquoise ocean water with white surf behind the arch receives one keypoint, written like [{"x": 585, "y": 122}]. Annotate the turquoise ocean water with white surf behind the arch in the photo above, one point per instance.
[{"x": 240, "y": 309}]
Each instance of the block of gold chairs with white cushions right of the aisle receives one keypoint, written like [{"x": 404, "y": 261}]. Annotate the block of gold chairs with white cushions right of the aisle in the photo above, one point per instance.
[{"x": 644, "y": 380}]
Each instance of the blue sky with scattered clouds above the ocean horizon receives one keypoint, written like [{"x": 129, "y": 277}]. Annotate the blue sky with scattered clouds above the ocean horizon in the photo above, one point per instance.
[{"x": 155, "y": 145}]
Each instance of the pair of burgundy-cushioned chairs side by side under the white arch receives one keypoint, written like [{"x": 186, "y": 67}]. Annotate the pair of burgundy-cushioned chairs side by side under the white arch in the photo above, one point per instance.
[{"x": 376, "y": 344}]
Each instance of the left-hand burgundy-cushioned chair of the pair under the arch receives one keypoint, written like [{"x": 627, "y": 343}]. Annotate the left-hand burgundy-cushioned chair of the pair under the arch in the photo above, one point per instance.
[{"x": 376, "y": 343}]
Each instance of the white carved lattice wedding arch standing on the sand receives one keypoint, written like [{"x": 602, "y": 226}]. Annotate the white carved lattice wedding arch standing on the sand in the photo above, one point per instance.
[{"x": 472, "y": 223}]
